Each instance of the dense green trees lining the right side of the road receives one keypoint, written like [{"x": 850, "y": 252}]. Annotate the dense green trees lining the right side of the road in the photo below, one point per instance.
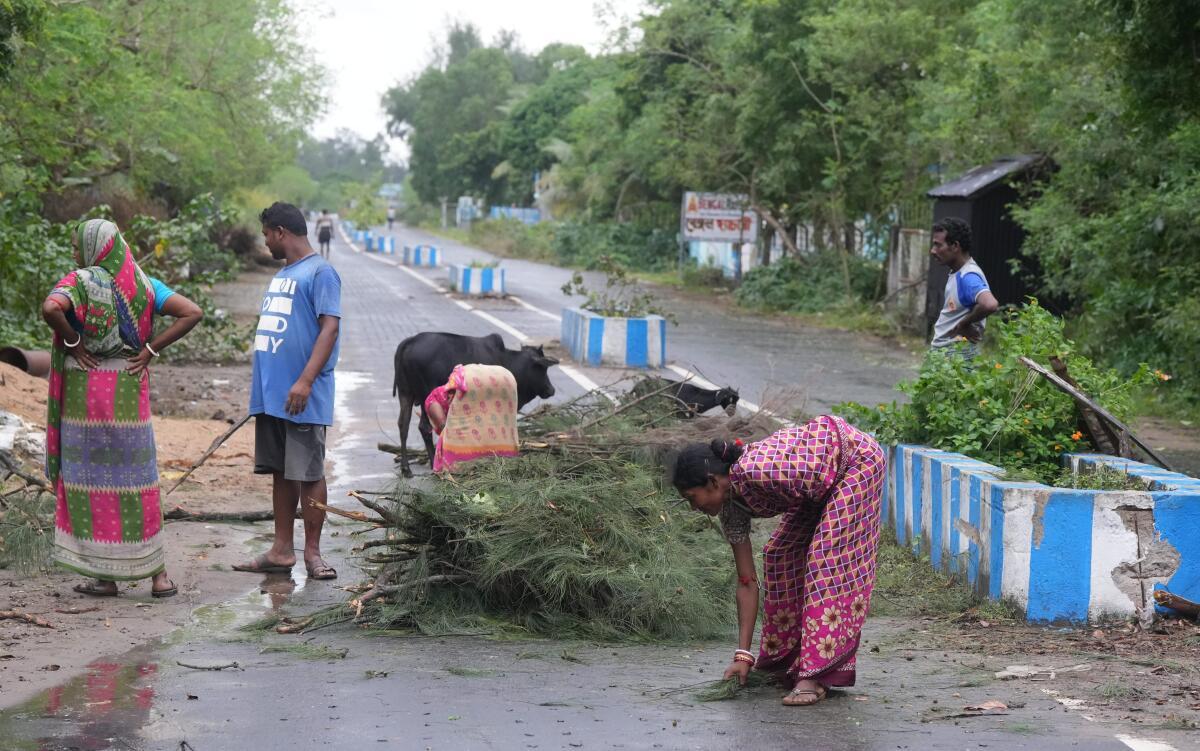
[{"x": 835, "y": 119}]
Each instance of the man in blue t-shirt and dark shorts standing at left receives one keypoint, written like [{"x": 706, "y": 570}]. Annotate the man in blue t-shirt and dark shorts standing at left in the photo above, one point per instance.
[{"x": 292, "y": 388}]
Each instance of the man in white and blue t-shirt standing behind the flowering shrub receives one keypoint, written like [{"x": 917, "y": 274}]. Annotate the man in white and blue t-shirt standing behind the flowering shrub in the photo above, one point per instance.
[{"x": 969, "y": 301}]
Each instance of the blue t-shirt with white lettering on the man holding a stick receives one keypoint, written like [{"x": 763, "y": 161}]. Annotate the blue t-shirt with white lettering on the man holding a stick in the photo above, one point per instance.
[{"x": 287, "y": 332}]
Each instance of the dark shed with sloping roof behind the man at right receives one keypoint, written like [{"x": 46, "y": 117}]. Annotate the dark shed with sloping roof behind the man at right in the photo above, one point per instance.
[{"x": 982, "y": 199}]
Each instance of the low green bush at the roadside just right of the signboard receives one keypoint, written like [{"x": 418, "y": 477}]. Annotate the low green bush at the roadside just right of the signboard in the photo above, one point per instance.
[{"x": 808, "y": 284}]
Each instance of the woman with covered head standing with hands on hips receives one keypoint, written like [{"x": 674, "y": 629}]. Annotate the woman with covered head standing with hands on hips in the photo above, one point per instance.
[{"x": 100, "y": 449}]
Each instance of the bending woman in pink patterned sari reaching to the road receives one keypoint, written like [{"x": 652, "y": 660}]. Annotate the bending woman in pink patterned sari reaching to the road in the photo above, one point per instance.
[{"x": 825, "y": 479}]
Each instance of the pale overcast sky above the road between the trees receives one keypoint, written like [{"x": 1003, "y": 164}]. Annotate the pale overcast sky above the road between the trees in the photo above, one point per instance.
[{"x": 368, "y": 46}]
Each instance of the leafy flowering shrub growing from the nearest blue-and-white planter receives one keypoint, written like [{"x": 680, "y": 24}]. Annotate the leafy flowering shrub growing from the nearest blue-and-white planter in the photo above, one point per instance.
[{"x": 994, "y": 408}]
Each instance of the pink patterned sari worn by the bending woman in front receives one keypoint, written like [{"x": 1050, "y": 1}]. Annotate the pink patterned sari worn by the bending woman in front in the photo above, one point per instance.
[{"x": 819, "y": 567}]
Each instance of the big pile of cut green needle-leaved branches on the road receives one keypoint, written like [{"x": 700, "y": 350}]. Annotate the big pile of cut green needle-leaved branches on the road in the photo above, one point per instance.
[{"x": 581, "y": 537}]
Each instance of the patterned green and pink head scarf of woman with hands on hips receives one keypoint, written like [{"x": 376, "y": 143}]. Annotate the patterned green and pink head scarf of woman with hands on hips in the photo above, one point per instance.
[{"x": 113, "y": 307}]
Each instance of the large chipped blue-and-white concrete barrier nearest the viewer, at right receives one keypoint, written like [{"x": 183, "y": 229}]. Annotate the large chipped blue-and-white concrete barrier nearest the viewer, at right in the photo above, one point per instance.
[{"x": 1059, "y": 554}]
